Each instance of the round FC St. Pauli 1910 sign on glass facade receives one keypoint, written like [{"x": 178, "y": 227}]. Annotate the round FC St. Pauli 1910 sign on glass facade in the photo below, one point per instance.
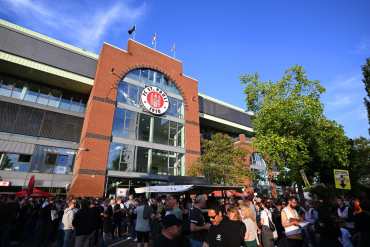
[{"x": 155, "y": 100}]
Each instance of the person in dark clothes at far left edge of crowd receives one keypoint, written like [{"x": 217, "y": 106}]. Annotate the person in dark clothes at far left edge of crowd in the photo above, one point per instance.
[{"x": 8, "y": 212}]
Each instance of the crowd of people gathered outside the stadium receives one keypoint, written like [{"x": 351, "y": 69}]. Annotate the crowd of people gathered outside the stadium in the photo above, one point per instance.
[{"x": 213, "y": 222}]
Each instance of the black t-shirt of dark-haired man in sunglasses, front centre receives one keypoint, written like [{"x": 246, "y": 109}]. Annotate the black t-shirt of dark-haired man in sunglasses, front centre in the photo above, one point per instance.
[{"x": 224, "y": 234}]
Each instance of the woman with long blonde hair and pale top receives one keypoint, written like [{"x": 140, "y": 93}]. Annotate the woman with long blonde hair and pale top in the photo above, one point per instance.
[{"x": 250, "y": 223}]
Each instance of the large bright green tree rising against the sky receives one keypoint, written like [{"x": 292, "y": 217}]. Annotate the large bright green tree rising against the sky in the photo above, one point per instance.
[{"x": 291, "y": 129}]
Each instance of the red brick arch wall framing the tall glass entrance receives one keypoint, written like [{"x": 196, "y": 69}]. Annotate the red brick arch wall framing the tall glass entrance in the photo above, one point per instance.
[{"x": 90, "y": 167}]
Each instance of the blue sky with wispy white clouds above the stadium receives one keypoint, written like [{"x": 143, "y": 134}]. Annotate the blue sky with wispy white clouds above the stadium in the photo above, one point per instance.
[{"x": 218, "y": 41}]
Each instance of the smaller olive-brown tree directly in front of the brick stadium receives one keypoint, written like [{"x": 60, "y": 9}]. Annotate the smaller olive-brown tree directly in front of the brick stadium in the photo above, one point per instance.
[{"x": 222, "y": 162}]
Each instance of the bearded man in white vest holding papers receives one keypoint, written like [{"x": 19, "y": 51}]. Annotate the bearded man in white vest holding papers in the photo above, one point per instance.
[{"x": 290, "y": 220}]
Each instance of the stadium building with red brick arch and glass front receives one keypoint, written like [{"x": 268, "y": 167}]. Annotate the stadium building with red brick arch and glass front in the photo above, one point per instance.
[{"x": 92, "y": 123}]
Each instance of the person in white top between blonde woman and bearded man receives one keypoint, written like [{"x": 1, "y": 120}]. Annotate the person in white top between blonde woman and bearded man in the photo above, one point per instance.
[{"x": 266, "y": 216}]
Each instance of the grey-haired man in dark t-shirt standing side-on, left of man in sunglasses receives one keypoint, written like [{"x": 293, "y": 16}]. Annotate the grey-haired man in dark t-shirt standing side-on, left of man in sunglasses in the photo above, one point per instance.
[{"x": 198, "y": 226}]
